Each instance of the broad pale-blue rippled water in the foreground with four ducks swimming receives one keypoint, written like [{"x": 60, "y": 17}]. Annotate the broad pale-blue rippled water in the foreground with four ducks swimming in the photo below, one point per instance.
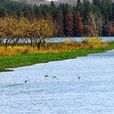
[{"x": 93, "y": 93}]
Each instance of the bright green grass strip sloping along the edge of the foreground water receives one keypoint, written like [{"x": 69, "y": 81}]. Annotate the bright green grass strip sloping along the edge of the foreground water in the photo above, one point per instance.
[{"x": 29, "y": 59}]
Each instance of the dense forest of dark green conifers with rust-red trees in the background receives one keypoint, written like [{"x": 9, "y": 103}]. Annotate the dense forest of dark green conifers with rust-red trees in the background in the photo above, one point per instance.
[{"x": 84, "y": 19}]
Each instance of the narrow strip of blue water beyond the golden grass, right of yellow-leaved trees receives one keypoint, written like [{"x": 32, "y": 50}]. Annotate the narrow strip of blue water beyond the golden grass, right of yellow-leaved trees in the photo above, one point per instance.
[{"x": 78, "y": 39}]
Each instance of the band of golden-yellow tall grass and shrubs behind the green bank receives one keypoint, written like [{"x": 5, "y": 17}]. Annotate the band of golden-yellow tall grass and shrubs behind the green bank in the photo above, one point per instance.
[{"x": 53, "y": 47}]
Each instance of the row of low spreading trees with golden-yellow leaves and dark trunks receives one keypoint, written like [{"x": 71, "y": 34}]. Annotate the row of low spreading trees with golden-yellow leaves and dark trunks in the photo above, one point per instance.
[{"x": 14, "y": 30}]
